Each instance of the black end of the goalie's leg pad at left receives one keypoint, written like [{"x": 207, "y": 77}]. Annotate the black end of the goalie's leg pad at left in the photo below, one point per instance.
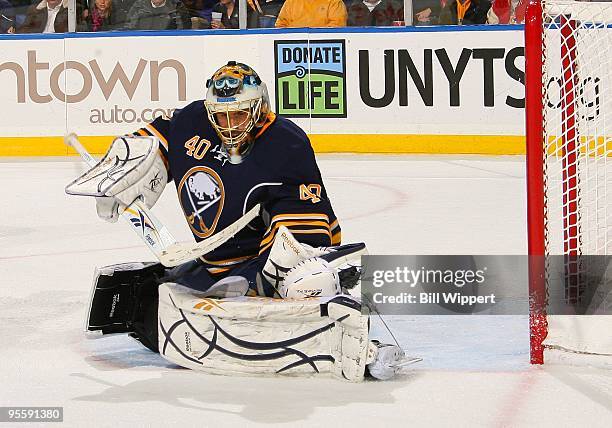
[{"x": 120, "y": 295}]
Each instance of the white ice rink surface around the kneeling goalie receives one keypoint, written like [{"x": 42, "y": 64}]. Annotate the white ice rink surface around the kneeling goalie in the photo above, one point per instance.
[{"x": 475, "y": 370}]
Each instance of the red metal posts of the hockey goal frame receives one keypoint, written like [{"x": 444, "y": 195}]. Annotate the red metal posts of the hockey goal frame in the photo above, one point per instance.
[{"x": 537, "y": 149}]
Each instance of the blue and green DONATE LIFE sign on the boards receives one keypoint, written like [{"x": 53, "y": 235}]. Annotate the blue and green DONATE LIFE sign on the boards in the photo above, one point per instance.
[{"x": 310, "y": 78}]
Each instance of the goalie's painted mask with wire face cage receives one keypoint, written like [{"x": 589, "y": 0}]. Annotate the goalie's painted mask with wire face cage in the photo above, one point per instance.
[{"x": 237, "y": 103}]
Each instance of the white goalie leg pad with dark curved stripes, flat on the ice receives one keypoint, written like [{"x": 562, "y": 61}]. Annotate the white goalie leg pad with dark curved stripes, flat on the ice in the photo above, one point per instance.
[{"x": 263, "y": 336}]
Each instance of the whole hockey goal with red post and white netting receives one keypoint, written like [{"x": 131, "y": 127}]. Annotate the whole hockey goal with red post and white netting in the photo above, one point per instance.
[{"x": 568, "y": 88}]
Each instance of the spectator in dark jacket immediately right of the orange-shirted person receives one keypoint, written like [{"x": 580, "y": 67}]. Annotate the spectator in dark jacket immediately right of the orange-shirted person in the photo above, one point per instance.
[{"x": 375, "y": 13}]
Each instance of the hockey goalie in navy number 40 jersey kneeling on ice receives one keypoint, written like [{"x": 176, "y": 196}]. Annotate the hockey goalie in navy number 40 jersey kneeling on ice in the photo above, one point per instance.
[{"x": 272, "y": 299}]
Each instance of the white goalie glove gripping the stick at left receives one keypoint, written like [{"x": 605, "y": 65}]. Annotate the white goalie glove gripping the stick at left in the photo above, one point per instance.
[{"x": 131, "y": 169}]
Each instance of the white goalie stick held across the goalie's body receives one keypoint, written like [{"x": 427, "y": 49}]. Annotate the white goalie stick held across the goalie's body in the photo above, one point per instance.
[{"x": 153, "y": 232}]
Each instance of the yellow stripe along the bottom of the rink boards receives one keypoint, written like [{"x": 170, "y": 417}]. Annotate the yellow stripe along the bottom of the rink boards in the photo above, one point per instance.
[{"x": 337, "y": 143}]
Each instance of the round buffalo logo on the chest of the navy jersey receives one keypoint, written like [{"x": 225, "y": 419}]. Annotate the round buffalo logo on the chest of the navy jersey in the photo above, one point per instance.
[{"x": 202, "y": 195}]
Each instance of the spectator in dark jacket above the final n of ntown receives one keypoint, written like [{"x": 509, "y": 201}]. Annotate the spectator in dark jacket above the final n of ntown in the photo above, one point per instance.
[{"x": 153, "y": 15}]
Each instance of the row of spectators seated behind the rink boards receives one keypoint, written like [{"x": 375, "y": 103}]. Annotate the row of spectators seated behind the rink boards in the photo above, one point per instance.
[{"x": 51, "y": 16}]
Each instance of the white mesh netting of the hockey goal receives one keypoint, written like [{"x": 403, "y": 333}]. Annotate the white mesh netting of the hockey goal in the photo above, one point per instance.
[{"x": 577, "y": 144}]
